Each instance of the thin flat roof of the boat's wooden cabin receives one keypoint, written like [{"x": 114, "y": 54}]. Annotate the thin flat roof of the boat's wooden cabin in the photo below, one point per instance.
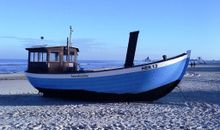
[{"x": 43, "y": 48}]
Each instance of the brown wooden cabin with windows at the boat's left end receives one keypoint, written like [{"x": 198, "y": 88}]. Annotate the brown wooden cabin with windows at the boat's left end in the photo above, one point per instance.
[{"x": 56, "y": 59}]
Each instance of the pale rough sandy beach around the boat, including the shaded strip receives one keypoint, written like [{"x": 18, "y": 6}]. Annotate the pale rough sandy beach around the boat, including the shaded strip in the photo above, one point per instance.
[{"x": 194, "y": 104}]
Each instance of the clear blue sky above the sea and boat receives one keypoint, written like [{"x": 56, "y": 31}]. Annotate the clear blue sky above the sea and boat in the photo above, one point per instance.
[{"x": 101, "y": 28}]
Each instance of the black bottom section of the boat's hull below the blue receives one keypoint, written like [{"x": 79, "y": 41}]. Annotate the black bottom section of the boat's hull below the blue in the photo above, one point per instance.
[{"x": 96, "y": 96}]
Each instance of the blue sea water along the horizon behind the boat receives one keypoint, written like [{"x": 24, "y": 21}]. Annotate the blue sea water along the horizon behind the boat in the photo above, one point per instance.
[{"x": 20, "y": 65}]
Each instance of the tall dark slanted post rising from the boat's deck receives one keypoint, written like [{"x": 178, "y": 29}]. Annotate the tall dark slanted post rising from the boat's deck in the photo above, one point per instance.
[{"x": 129, "y": 61}]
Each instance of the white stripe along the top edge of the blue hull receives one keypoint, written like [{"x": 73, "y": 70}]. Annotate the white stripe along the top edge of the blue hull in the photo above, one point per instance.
[{"x": 111, "y": 72}]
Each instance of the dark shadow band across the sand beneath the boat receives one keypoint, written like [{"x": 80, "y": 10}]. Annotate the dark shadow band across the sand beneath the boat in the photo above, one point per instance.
[{"x": 174, "y": 98}]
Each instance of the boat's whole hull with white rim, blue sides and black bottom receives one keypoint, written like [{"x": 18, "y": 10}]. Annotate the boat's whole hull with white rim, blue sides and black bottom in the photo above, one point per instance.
[{"x": 149, "y": 82}]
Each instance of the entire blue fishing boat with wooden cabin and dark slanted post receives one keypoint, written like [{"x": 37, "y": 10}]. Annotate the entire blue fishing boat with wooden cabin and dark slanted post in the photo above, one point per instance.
[{"x": 54, "y": 70}]
